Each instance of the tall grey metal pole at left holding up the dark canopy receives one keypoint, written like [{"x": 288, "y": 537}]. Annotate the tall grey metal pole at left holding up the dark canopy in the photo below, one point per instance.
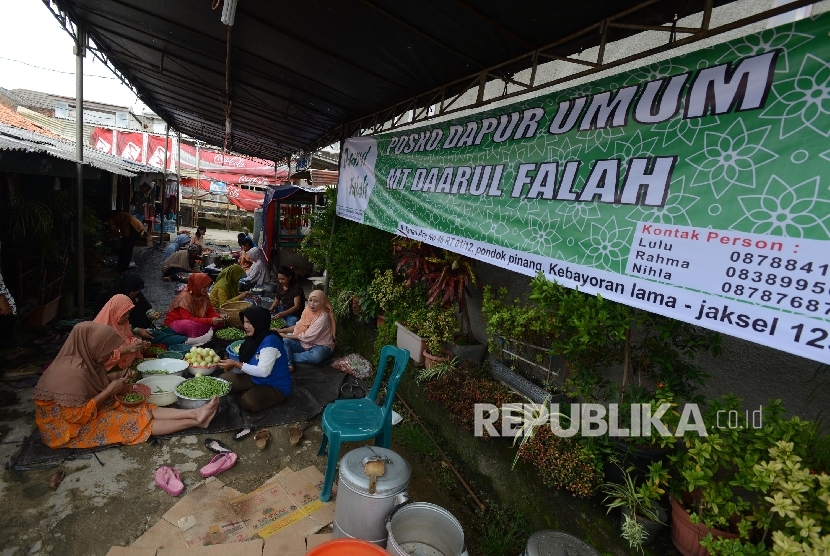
[{"x": 80, "y": 52}]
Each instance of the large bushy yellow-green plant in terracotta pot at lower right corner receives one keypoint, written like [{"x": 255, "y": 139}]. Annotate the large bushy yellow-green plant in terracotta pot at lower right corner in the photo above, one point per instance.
[{"x": 746, "y": 486}]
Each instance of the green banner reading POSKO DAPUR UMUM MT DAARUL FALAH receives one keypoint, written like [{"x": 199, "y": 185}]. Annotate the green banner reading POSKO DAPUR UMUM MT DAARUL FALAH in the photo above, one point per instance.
[{"x": 695, "y": 187}]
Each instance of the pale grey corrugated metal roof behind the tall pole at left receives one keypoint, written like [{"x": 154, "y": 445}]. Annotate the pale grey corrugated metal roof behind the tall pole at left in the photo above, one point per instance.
[{"x": 15, "y": 139}]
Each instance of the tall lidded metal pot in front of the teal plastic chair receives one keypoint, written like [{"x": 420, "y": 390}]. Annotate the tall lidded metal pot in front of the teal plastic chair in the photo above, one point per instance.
[{"x": 362, "y": 512}]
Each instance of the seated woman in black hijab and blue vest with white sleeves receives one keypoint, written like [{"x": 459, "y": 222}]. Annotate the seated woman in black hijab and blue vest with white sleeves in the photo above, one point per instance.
[{"x": 262, "y": 370}]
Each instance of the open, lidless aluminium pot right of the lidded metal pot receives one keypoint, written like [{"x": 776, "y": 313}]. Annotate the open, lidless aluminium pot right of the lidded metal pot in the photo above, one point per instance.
[{"x": 425, "y": 528}]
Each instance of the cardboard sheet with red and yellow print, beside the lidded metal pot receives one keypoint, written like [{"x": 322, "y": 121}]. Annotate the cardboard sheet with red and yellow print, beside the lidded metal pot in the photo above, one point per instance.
[{"x": 288, "y": 505}]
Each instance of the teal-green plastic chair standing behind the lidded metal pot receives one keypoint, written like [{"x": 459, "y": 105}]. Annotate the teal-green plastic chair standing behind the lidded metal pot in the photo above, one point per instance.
[{"x": 362, "y": 419}]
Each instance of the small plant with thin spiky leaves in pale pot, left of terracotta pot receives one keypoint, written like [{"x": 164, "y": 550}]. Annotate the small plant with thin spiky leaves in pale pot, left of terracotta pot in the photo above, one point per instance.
[{"x": 641, "y": 516}]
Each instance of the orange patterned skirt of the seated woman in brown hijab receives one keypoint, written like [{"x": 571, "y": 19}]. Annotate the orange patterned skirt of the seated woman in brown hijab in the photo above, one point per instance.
[{"x": 89, "y": 426}]
